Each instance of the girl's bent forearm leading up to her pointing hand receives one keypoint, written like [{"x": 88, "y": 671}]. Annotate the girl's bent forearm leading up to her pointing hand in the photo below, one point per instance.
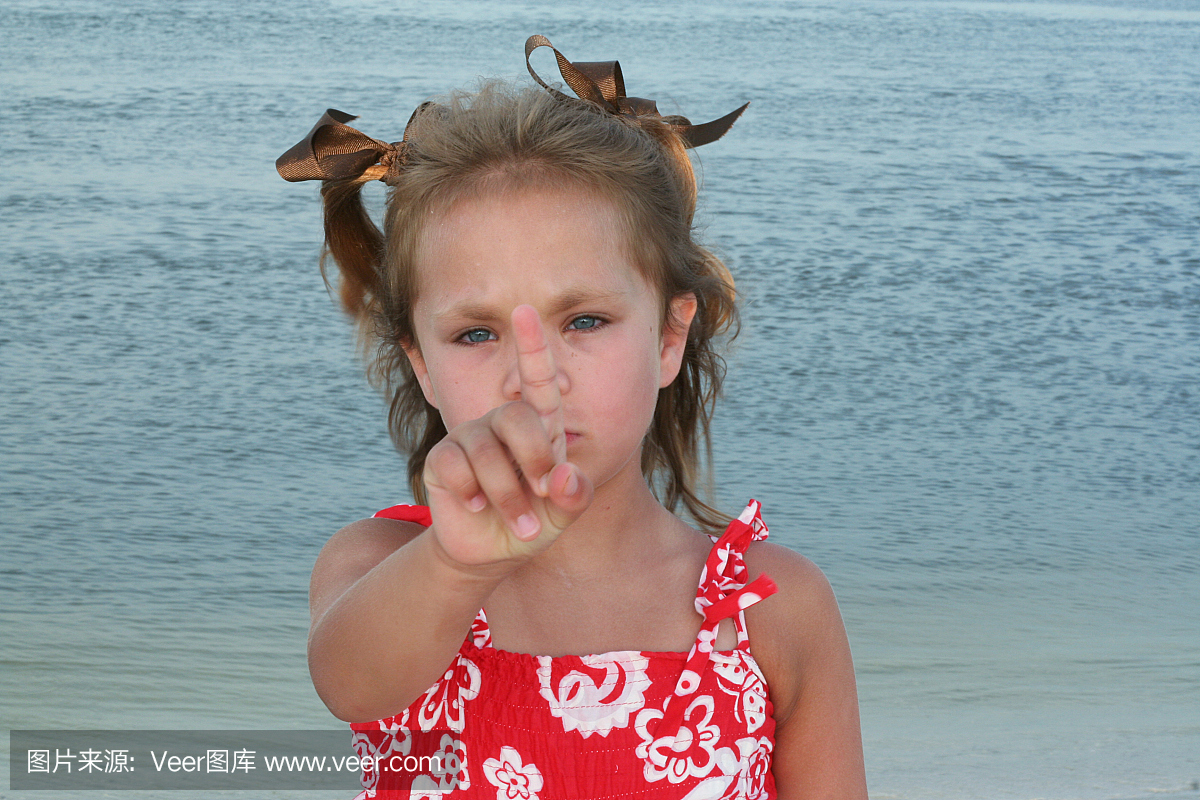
[{"x": 392, "y": 634}]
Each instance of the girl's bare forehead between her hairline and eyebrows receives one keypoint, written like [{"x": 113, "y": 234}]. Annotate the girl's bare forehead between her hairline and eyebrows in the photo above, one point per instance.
[{"x": 525, "y": 245}]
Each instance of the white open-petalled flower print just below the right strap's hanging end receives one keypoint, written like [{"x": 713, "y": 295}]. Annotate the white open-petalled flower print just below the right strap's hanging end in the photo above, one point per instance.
[{"x": 692, "y": 753}]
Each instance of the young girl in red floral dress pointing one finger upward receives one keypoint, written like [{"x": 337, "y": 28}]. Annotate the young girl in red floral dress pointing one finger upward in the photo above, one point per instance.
[{"x": 548, "y": 627}]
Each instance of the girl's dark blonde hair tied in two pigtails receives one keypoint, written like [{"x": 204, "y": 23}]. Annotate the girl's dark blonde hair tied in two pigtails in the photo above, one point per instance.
[{"x": 505, "y": 139}]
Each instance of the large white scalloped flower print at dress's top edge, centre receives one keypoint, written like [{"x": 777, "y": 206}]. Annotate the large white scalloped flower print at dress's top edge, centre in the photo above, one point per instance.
[{"x": 599, "y": 695}]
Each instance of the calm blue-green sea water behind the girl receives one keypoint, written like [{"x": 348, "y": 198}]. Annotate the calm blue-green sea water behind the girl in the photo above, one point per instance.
[{"x": 969, "y": 242}]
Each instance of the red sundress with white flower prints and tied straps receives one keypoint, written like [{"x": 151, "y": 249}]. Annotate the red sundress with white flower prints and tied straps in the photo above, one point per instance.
[{"x": 619, "y": 725}]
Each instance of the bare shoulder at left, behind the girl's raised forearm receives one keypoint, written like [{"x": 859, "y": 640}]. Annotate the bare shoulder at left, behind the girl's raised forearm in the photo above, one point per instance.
[{"x": 353, "y": 552}]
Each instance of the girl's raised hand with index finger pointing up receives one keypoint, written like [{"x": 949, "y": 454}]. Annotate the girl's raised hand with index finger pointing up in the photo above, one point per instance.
[{"x": 501, "y": 489}]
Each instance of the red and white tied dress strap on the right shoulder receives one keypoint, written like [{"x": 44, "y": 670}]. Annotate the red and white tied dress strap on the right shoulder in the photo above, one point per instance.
[{"x": 725, "y": 591}]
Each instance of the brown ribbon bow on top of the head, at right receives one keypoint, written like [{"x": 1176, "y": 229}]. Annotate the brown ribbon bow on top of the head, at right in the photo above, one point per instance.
[{"x": 602, "y": 83}]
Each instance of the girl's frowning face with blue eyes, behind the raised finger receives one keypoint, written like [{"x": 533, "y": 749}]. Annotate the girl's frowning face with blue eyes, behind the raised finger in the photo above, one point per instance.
[{"x": 561, "y": 251}]
